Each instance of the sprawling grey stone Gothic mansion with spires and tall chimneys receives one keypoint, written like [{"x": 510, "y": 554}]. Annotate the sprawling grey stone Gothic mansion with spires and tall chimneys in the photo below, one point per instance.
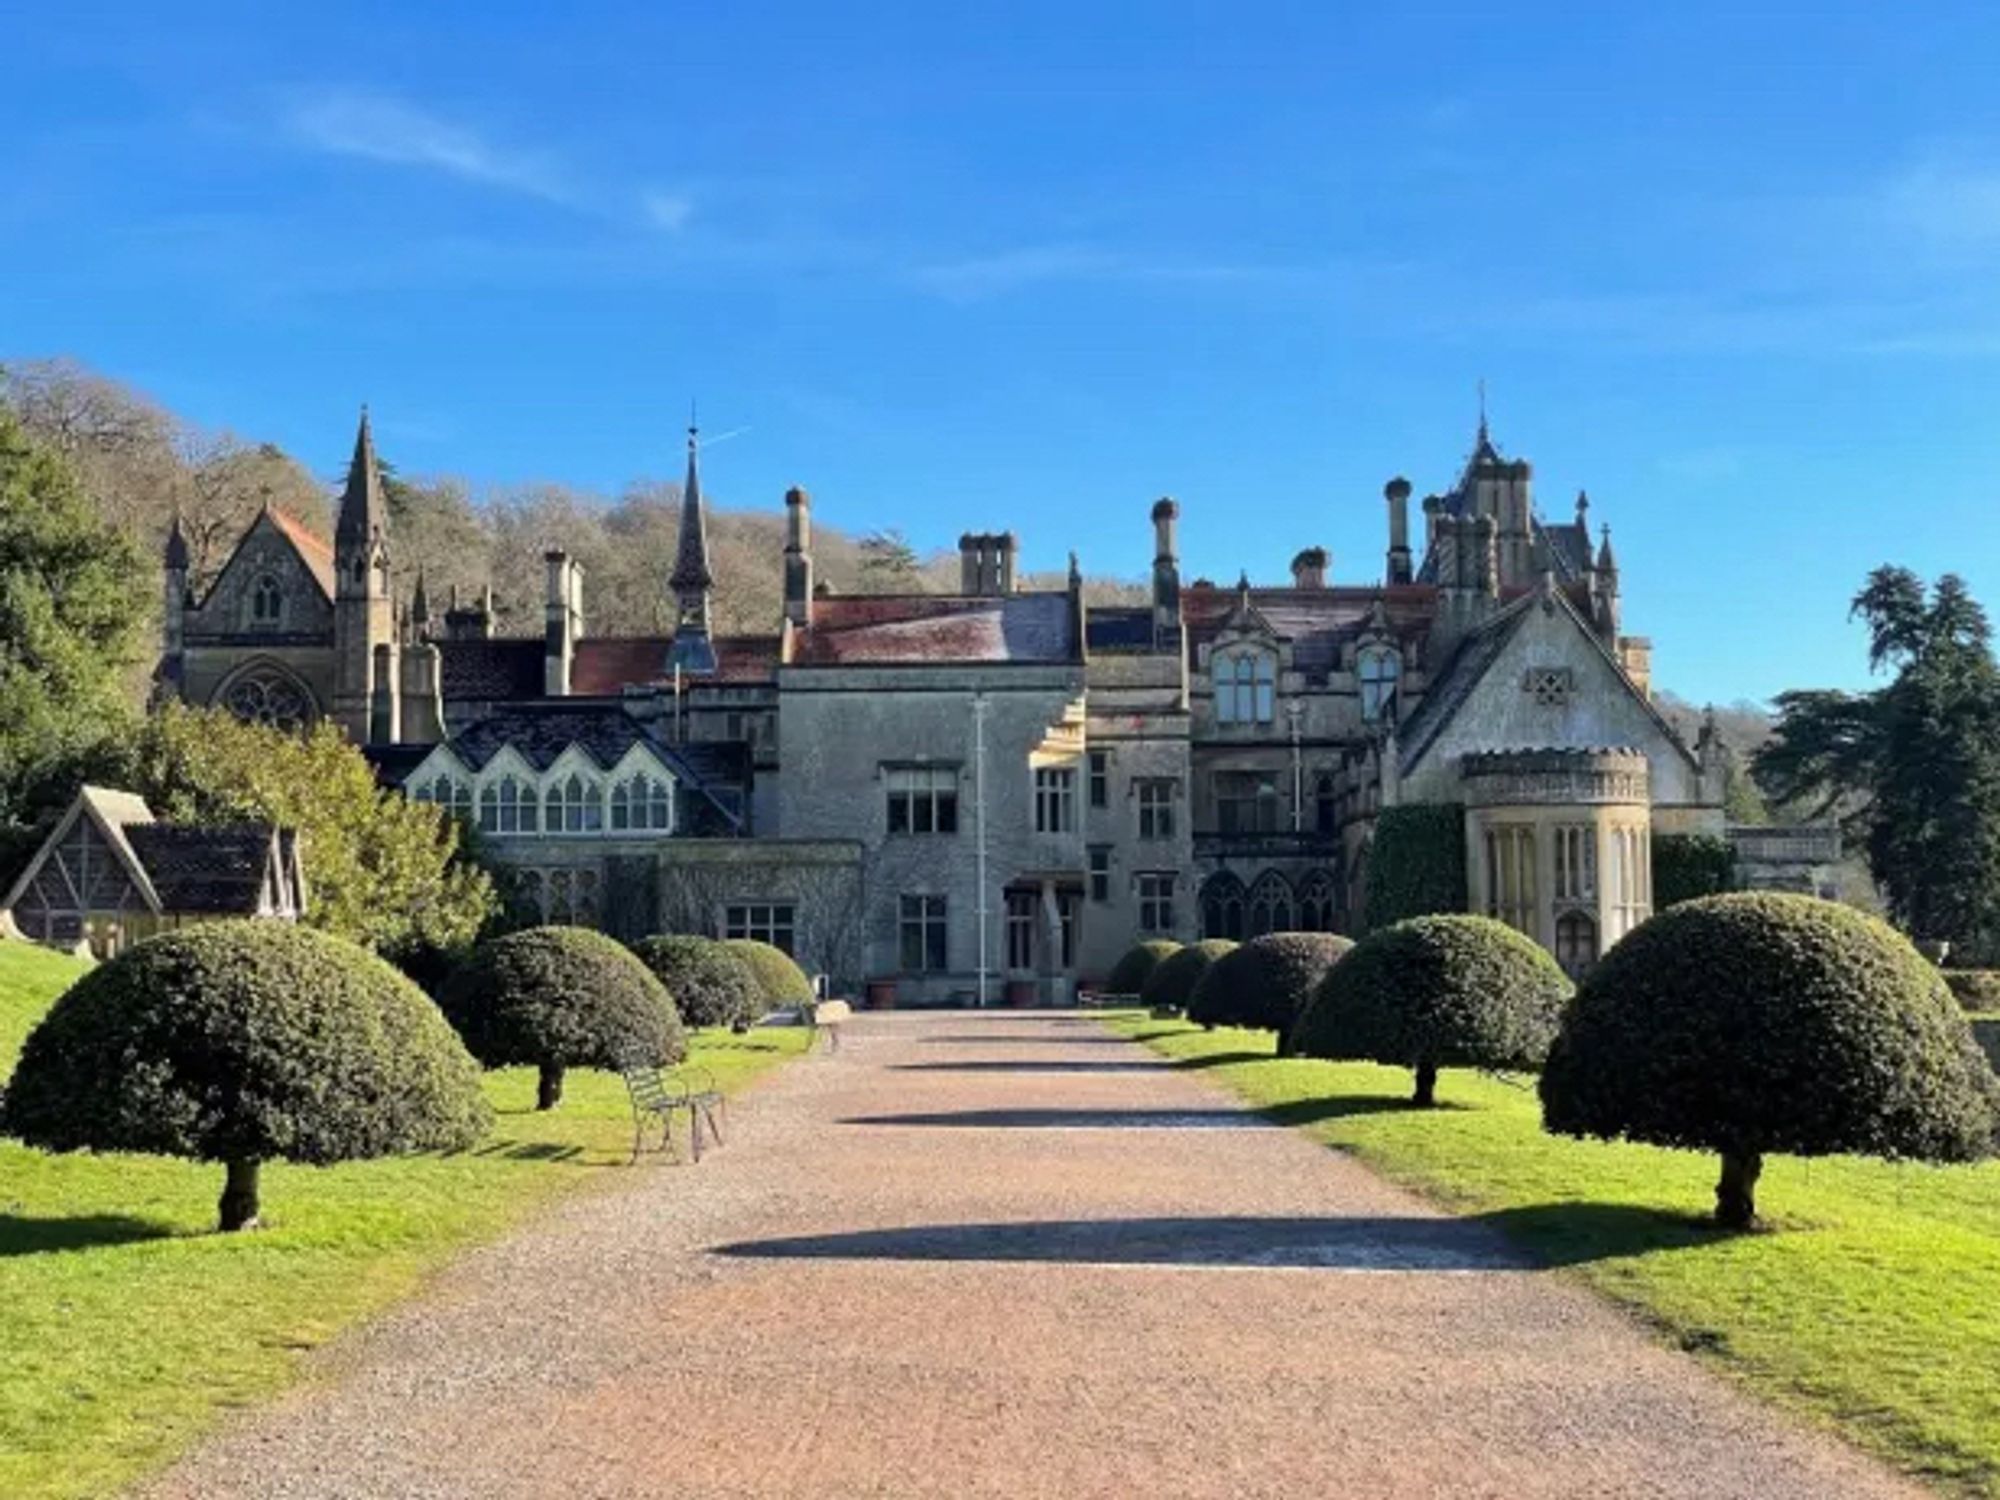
[{"x": 993, "y": 793}]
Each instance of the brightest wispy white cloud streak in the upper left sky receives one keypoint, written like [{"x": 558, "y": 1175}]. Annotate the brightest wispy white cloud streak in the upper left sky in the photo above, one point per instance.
[{"x": 381, "y": 129}]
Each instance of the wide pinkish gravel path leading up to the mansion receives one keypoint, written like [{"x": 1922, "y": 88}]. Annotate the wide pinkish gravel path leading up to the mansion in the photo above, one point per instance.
[{"x": 1007, "y": 1257}]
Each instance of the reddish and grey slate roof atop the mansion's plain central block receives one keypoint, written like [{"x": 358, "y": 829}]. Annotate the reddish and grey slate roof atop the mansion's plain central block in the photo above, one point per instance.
[{"x": 939, "y": 629}]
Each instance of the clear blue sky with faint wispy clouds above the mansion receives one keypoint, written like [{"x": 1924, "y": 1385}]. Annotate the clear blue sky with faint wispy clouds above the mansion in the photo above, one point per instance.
[{"x": 1731, "y": 269}]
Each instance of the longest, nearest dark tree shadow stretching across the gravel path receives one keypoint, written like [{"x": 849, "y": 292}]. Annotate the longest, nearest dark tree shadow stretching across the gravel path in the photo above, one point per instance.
[{"x": 1245, "y": 1243}]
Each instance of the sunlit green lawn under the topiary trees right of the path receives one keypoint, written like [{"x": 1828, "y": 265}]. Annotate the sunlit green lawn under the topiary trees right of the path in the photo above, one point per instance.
[{"x": 1873, "y": 1301}]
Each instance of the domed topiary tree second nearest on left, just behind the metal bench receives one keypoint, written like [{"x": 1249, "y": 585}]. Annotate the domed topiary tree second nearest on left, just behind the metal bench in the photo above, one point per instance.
[{"x": 559, "y": 999}]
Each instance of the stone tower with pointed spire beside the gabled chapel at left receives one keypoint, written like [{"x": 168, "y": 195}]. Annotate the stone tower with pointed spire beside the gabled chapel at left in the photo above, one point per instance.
[{"x": 367, "y": 691}]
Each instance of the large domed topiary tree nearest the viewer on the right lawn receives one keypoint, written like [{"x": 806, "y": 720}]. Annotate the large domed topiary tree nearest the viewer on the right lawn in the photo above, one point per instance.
[{"x": 1763, "y": 1023}]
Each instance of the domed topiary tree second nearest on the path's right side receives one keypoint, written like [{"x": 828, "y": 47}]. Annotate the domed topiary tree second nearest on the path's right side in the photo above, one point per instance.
[{"x": 1439, "y": 993}]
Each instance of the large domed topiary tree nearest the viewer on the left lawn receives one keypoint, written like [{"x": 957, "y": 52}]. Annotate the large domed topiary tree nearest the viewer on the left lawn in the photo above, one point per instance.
[{"x": 245, "y": 1043}]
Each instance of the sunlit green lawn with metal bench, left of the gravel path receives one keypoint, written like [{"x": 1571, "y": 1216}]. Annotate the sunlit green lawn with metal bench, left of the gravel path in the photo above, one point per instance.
[{"x": 127, "y": 1327}]
